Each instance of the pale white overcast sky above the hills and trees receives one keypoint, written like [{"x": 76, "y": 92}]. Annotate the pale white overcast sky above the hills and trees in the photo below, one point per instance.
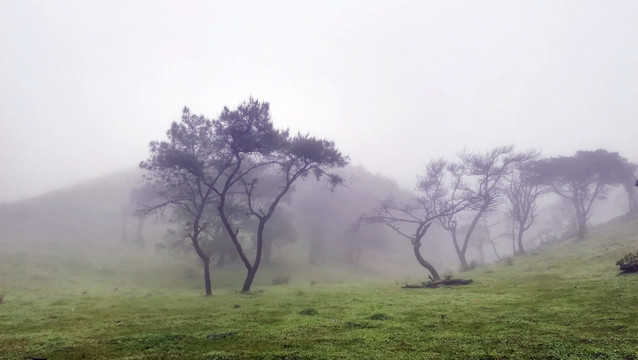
[{"x": 85, "y": 85}]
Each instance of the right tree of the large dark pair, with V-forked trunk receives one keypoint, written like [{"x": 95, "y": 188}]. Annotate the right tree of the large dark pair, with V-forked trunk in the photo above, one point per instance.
[{"x": 250, "y": 146}]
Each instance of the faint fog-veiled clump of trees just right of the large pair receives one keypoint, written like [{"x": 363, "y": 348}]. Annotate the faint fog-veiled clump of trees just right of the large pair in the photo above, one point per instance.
[{"x": 330, "y": 222}]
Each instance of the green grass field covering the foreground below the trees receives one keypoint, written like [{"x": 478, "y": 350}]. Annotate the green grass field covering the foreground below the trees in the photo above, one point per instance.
[{"x": 565, "y": 301}]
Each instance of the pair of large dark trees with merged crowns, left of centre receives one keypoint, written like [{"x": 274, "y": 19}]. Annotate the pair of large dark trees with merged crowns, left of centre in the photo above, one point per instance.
[{"x": 236, "y": 160}]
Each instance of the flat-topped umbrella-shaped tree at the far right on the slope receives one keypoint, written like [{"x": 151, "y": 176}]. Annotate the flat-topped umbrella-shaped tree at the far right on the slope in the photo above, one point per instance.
[{"x": 583, "y": 178}]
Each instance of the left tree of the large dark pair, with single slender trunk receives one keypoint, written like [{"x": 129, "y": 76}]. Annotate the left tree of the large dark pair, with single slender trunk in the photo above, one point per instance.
[{"x": 178, "y": 167}]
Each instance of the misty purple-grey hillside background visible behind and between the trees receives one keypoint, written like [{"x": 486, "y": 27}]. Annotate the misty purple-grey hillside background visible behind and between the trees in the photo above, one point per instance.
[{"x": 324, "y": 226}]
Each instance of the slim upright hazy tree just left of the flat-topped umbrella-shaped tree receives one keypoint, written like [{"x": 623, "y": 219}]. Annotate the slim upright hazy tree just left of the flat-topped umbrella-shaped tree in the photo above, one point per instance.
[{"x": 522, "y": 193}]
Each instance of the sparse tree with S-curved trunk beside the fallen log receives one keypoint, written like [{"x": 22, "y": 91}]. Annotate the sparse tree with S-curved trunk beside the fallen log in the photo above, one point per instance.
[{"x": 437, "y": 197}]
